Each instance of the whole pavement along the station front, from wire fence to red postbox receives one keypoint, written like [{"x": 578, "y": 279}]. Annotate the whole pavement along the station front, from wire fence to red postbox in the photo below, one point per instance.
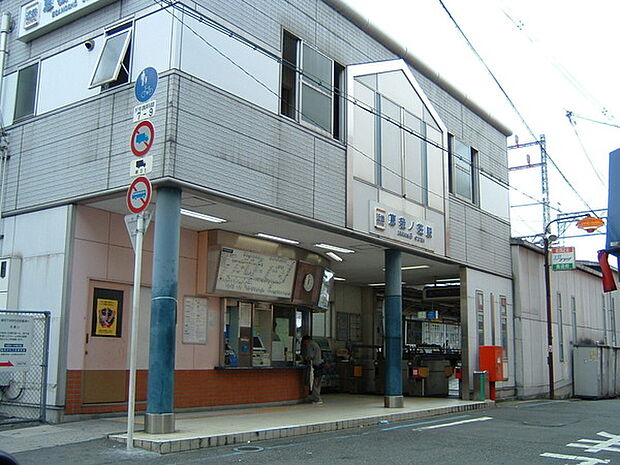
[{"x": 238, "y": 425}]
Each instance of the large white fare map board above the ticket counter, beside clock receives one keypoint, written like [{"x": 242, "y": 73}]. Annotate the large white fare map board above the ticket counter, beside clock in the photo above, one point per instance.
[{"x": 255, "y": 274}]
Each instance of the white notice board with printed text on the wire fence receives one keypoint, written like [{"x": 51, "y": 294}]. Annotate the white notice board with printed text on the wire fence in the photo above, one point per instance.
[{"x": 15, "y": 343}]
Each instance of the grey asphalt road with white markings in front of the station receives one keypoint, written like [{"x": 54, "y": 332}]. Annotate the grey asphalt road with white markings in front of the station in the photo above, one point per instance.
[{"x": 534, "y": 432}]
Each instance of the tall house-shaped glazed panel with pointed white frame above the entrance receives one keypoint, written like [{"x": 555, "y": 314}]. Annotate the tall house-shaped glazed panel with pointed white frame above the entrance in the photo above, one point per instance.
[{"x": 394, "y": 141}]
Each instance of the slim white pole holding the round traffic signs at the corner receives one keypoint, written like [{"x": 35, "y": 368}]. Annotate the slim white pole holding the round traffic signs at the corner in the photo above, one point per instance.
[{"x": 135, "y": 314}]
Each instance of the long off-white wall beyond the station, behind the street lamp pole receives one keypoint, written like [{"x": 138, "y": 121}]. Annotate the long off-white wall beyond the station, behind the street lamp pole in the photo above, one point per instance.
[{"x": 531, "y": 321}]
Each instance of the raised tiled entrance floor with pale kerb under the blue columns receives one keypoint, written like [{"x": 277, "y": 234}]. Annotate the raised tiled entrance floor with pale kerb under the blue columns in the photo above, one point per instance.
[{"x": 195, "y": 430}]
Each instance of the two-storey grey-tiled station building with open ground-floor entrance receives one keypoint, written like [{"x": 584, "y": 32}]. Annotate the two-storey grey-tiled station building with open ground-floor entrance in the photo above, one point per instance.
[{"x": 293, "y": 147}]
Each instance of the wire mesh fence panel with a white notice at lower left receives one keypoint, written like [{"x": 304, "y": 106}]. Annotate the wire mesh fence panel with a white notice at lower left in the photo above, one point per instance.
[{"x": 24, "y": 354}]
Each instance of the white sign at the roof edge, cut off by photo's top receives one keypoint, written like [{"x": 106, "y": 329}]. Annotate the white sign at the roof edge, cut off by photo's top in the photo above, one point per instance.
[{"x": 41, "y": 16}]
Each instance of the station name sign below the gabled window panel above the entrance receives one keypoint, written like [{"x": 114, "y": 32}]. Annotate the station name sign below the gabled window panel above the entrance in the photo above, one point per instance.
[{"x": 402, "y": 227}]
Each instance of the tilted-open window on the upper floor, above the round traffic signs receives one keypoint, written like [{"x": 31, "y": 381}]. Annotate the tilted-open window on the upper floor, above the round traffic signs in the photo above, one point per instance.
[{"x": 112, "y": 67}]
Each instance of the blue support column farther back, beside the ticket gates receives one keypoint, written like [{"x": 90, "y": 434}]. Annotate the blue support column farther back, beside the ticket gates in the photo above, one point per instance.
[{"x": 393, "y": 329}]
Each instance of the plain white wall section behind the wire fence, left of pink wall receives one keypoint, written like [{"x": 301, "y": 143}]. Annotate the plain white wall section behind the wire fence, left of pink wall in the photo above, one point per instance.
[{"x": 42, "y": 271}]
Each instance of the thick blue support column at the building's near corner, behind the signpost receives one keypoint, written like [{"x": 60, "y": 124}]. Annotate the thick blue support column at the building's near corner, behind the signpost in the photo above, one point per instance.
[{"x": 159, "y": 412}]
